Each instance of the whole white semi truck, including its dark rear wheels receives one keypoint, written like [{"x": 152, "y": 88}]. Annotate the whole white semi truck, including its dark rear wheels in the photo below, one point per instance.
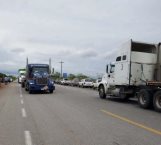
[{"x": 135, "y": 73}]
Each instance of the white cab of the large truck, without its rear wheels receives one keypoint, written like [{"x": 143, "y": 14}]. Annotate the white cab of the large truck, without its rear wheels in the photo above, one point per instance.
[{"x": 134, "y": 66}]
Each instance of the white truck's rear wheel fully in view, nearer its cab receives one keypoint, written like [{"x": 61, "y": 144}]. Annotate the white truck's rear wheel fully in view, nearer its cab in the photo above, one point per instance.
[{"x": 145, "y": 99}]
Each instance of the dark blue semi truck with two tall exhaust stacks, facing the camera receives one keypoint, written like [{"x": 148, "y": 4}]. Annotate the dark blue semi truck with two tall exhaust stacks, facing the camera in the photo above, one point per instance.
[{"x": 38, "y": 78}]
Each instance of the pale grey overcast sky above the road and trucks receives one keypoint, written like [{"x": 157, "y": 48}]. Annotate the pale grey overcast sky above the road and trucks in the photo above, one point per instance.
[{"x": 85, "y": 34}]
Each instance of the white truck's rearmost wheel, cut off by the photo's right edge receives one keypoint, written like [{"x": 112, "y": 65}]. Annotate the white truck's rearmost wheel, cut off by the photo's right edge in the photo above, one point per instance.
[{"x": 157, "y": 101}]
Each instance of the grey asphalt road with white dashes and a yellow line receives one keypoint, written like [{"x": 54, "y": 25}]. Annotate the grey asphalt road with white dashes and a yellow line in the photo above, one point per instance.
[{"x": 73, "y": 116}]
